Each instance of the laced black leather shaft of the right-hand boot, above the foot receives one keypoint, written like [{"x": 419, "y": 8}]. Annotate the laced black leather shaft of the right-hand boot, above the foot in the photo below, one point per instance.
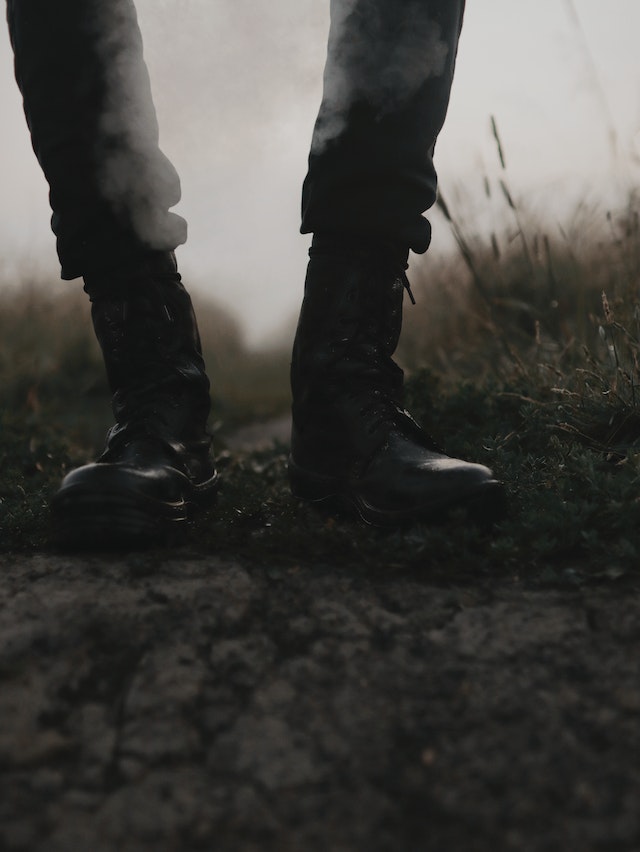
[{"x": 347, "y": 390}]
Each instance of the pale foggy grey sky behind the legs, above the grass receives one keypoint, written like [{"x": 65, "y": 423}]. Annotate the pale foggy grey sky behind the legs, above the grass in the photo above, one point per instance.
[{"x": 237, "y": 84}]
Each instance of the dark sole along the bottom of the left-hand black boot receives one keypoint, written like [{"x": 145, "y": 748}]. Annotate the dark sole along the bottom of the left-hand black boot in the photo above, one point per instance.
[{"x": 84, "y": 519}]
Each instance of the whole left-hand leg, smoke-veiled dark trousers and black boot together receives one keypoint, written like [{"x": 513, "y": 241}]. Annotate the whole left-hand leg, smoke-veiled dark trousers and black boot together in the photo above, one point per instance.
[{"x": 88, "y": 105}]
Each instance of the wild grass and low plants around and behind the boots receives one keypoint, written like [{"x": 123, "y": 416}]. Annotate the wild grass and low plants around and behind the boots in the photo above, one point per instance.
[{"x": 522, "y": 353}]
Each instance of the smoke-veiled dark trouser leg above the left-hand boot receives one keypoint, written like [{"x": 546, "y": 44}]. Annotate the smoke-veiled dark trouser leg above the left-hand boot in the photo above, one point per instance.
[{"x": 88, "y": 105}]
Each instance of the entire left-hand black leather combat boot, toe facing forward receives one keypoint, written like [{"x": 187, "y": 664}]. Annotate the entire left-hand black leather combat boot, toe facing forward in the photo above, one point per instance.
[{"x": 156, "y": 465}]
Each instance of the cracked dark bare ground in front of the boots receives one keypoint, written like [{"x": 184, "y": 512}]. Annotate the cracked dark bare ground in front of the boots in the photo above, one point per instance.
[{"x": 179, "y": 702}]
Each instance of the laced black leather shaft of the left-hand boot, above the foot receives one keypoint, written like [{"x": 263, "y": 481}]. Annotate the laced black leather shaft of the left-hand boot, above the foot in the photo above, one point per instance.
[{"x": 147, "y": 330}]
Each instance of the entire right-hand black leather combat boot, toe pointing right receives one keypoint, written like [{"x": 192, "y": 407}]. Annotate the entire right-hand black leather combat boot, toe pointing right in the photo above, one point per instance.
[{"x": 353, "y": 444}]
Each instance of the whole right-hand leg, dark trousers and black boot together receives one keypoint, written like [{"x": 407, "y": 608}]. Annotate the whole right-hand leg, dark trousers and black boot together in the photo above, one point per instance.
[{"x": 371, "y": 177}]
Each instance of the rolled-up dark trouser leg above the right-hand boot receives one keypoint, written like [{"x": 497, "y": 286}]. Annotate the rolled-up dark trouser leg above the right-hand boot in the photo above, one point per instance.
[{"x": 387, "y": 81}]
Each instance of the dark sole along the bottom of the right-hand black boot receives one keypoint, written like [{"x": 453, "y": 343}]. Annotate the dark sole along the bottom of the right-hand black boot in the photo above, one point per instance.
[{"x": 484, "y": 505}]
